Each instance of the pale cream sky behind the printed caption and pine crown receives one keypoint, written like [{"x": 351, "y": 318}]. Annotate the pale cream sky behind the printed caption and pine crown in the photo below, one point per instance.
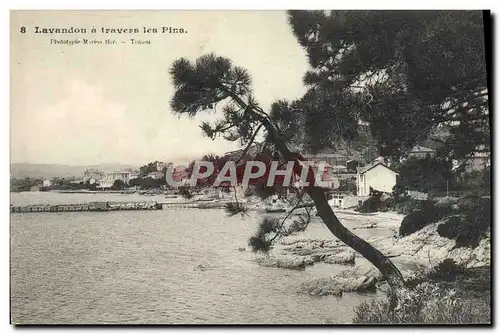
[{"x": 91, "y": 104}]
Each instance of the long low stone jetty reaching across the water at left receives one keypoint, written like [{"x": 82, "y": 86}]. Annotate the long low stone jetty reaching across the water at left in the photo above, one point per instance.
[{"x": 92, "y": 206}]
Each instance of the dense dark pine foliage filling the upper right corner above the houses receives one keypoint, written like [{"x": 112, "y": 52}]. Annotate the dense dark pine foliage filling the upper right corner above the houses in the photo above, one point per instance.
[{"x": 418, "y": 72}]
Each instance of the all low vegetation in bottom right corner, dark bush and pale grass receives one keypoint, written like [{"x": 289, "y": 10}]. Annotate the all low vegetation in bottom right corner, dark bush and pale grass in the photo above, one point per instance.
[{"x": 447, "y": 294}]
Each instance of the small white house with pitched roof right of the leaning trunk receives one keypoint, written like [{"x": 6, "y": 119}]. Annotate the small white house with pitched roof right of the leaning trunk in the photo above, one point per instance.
[{"x": 378, "y": 176}]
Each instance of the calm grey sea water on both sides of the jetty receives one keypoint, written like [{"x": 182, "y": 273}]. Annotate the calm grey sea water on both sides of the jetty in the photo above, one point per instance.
[{"x": 141, "y": 267}]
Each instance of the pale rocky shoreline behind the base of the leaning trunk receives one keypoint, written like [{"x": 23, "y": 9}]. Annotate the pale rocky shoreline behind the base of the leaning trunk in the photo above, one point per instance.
[{"x": 414, "y": 255}]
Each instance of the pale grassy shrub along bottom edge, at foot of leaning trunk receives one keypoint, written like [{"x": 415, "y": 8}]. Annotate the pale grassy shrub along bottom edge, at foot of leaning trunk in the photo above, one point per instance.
[{"x": 427, "y": 304}]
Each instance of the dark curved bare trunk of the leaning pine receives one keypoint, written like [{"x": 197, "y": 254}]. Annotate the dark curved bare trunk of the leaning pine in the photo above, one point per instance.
[{"x": 390, "y": 272}]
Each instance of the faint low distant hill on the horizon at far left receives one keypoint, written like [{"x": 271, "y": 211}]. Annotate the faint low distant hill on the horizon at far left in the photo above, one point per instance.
[{"x": 49, "y": 171}]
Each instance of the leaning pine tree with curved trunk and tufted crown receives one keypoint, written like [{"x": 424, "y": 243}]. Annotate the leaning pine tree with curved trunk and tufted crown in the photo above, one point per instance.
[{"x": 212, "y": 80}]
